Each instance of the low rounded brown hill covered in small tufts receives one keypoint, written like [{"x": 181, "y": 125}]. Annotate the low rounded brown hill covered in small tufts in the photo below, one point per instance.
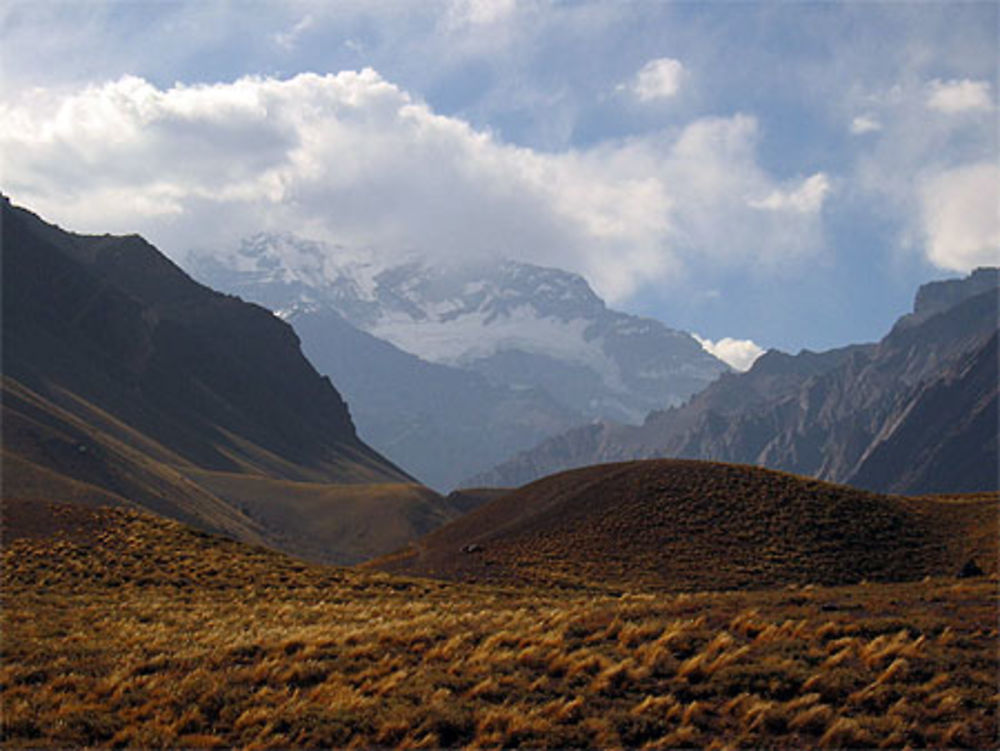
[{"x": 690, "y": 525}]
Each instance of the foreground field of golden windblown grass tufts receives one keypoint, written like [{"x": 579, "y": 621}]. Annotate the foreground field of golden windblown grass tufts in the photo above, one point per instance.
[{"x": 121, "y": 629}]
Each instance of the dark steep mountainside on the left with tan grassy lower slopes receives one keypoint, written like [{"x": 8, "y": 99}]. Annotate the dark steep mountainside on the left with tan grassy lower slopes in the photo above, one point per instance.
[{"x": 125, "y": 381}]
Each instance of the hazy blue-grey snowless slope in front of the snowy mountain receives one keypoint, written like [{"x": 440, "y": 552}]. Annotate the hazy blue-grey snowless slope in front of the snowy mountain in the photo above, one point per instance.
[{"x": 440, "y": 422}]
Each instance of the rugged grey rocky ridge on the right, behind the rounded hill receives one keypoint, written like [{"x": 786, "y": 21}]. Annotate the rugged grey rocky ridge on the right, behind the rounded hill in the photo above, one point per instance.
[{"x": 915, "y": 413}]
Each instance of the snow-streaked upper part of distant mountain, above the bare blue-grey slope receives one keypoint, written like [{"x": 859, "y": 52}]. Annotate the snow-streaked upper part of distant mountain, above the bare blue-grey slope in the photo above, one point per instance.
[{"x": 520, "y": 325}]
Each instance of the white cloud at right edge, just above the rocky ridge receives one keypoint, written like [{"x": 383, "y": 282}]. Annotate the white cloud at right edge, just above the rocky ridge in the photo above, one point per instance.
[{"x": 961, "y": 212}]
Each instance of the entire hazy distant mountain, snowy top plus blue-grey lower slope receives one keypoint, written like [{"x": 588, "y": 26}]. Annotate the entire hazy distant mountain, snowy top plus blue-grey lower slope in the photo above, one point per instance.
[{"x": 427, "y": 356}]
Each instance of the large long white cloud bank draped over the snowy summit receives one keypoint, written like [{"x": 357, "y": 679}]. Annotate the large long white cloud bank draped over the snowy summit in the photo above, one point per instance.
[{"x": 354, "y": 160}]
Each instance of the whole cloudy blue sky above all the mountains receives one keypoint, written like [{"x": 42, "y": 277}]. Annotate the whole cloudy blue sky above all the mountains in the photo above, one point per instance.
[{"x": 761, "y": 174}]
